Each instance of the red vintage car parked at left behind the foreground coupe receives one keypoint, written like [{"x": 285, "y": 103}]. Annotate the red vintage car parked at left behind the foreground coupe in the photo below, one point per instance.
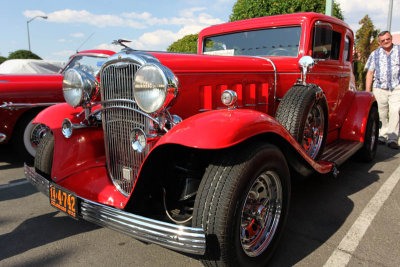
[{"x": 23, "y": 96}]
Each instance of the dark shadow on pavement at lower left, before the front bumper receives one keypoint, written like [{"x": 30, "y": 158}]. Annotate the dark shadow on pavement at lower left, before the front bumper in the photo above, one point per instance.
[{"x": 39, "y": 231}]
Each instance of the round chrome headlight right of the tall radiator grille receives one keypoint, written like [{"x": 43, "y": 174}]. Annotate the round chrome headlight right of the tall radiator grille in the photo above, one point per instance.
[{"x": 155, "y": 87}]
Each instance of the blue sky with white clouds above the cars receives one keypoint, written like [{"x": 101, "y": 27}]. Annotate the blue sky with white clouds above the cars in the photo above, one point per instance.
[{"x": 150, "y": 25}]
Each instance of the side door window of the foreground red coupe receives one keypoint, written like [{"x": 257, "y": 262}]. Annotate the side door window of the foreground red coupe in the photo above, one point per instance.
[{"x": 326, "y": 43}]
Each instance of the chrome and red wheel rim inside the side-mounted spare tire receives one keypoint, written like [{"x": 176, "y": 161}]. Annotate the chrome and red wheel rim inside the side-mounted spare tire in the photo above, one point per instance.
[{"x": 314, "y": 131}]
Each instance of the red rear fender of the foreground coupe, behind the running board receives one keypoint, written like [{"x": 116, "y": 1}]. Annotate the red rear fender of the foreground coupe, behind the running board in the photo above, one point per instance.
[{"x": 355, "y": 124}]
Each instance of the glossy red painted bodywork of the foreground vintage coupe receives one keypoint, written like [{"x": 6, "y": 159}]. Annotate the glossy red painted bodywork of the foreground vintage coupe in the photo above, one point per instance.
[{"x": 207, "y": 124}]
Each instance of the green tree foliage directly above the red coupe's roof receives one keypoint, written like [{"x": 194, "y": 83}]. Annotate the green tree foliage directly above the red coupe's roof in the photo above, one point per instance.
[{"x": 247, "y": 9}]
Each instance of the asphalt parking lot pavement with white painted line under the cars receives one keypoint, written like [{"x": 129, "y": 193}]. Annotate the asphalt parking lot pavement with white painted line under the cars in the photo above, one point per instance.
[{"x": 353, "y": 219}]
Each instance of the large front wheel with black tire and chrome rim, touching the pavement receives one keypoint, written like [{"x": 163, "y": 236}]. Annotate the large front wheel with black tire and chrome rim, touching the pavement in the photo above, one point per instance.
[{"x": 242, "y": 204}]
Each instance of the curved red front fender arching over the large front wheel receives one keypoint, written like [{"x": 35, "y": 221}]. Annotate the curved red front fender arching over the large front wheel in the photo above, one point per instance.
[{"x": 222, "y": 128}]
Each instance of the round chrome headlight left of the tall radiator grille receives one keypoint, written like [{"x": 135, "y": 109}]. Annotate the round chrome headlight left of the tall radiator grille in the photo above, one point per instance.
[{"x": 78, "y": 87}]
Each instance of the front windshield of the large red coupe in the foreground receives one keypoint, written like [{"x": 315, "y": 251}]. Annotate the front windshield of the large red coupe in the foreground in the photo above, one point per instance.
[{"x": 265, "y": 42}]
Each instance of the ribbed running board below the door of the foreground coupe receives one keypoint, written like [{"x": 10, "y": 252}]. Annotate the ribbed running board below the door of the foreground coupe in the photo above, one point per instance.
[{"x": 340, "y": 150}]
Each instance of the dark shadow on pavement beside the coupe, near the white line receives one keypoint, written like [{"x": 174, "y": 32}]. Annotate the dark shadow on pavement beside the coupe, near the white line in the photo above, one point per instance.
[{"x": 320, "y": 205}]
